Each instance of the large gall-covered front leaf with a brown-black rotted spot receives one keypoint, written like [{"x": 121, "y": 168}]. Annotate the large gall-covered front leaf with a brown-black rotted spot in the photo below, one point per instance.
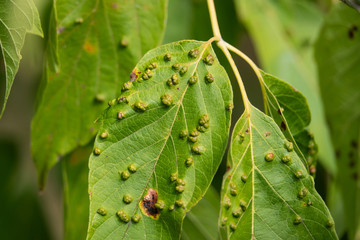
[{"x": 173, "y": 129}]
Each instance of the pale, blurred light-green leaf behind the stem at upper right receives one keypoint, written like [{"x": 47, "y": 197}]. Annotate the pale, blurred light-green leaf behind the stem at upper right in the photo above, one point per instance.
[{"x": 283, "y": 32}]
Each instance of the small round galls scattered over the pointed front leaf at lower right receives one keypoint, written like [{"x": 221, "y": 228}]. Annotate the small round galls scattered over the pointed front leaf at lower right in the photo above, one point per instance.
[{"x": 237, "y": 211}]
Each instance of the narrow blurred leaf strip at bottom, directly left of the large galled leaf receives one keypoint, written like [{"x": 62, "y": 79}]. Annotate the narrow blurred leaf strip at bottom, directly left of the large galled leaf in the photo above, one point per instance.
[{"x": 76, "y": 199}]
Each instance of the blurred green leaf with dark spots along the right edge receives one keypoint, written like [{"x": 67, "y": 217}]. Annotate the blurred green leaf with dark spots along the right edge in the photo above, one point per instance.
[{"x": 338, "y": 63}]
